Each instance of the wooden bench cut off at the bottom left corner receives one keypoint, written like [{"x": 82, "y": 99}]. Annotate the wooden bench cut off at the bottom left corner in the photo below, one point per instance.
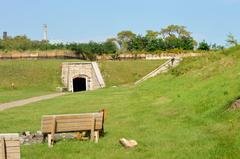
[{"x": 9, "y": 146}]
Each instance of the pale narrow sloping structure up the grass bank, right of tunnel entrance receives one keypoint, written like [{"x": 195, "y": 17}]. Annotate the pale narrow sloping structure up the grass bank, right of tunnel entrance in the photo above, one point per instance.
[{"x": 161, "y": 69}]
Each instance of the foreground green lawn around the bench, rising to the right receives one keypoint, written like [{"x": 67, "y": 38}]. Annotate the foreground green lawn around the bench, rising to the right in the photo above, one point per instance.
[{"x": 178, "y": 115}]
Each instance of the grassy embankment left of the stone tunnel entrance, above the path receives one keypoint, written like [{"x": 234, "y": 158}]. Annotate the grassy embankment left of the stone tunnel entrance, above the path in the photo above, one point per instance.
[{"x": 31, "y": 78}]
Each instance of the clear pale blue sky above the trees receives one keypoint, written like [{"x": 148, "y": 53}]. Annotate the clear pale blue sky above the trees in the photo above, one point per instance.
[{"x": 79, "y": 20}]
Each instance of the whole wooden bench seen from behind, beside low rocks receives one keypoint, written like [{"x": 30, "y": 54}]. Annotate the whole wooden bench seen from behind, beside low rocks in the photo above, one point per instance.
[{"x": 92, "y": 122}]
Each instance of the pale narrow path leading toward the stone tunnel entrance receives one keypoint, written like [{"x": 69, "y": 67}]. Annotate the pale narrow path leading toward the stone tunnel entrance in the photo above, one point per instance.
[{"x": 23, "y": 102}]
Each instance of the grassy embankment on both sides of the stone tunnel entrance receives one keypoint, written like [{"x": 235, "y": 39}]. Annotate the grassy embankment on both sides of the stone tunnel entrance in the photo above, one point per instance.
[{"x": 21, "y": 79}]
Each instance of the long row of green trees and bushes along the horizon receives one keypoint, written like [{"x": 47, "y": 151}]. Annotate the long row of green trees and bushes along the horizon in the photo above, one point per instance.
[{"x": 173, "y": 37}]
